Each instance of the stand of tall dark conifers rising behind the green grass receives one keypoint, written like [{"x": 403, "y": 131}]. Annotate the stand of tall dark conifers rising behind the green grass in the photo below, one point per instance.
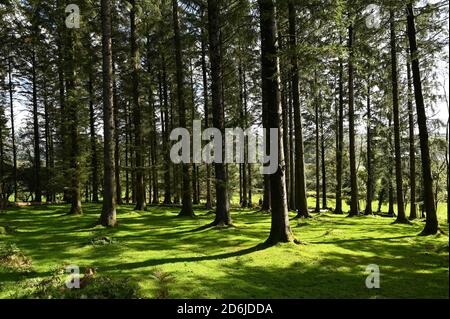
[{"x": 352, "y": 90}]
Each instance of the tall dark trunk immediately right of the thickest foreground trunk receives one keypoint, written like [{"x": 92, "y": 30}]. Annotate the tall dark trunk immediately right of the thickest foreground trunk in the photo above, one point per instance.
[{"x": 300, "y": 182}]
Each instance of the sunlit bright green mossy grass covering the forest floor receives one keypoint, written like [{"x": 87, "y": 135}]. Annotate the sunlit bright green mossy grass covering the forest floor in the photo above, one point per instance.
[{"x": 228, "y": 263}]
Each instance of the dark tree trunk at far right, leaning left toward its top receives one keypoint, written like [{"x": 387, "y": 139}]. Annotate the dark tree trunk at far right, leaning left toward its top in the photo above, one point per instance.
[{"x": 431, "y": 225}]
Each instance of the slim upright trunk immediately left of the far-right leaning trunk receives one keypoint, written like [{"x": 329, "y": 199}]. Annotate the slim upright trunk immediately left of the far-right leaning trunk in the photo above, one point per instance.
[{"x": 412, "y": 148}]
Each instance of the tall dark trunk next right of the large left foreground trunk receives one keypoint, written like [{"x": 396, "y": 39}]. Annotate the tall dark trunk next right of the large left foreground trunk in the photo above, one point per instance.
[{"x": 136, "y": 110}]
